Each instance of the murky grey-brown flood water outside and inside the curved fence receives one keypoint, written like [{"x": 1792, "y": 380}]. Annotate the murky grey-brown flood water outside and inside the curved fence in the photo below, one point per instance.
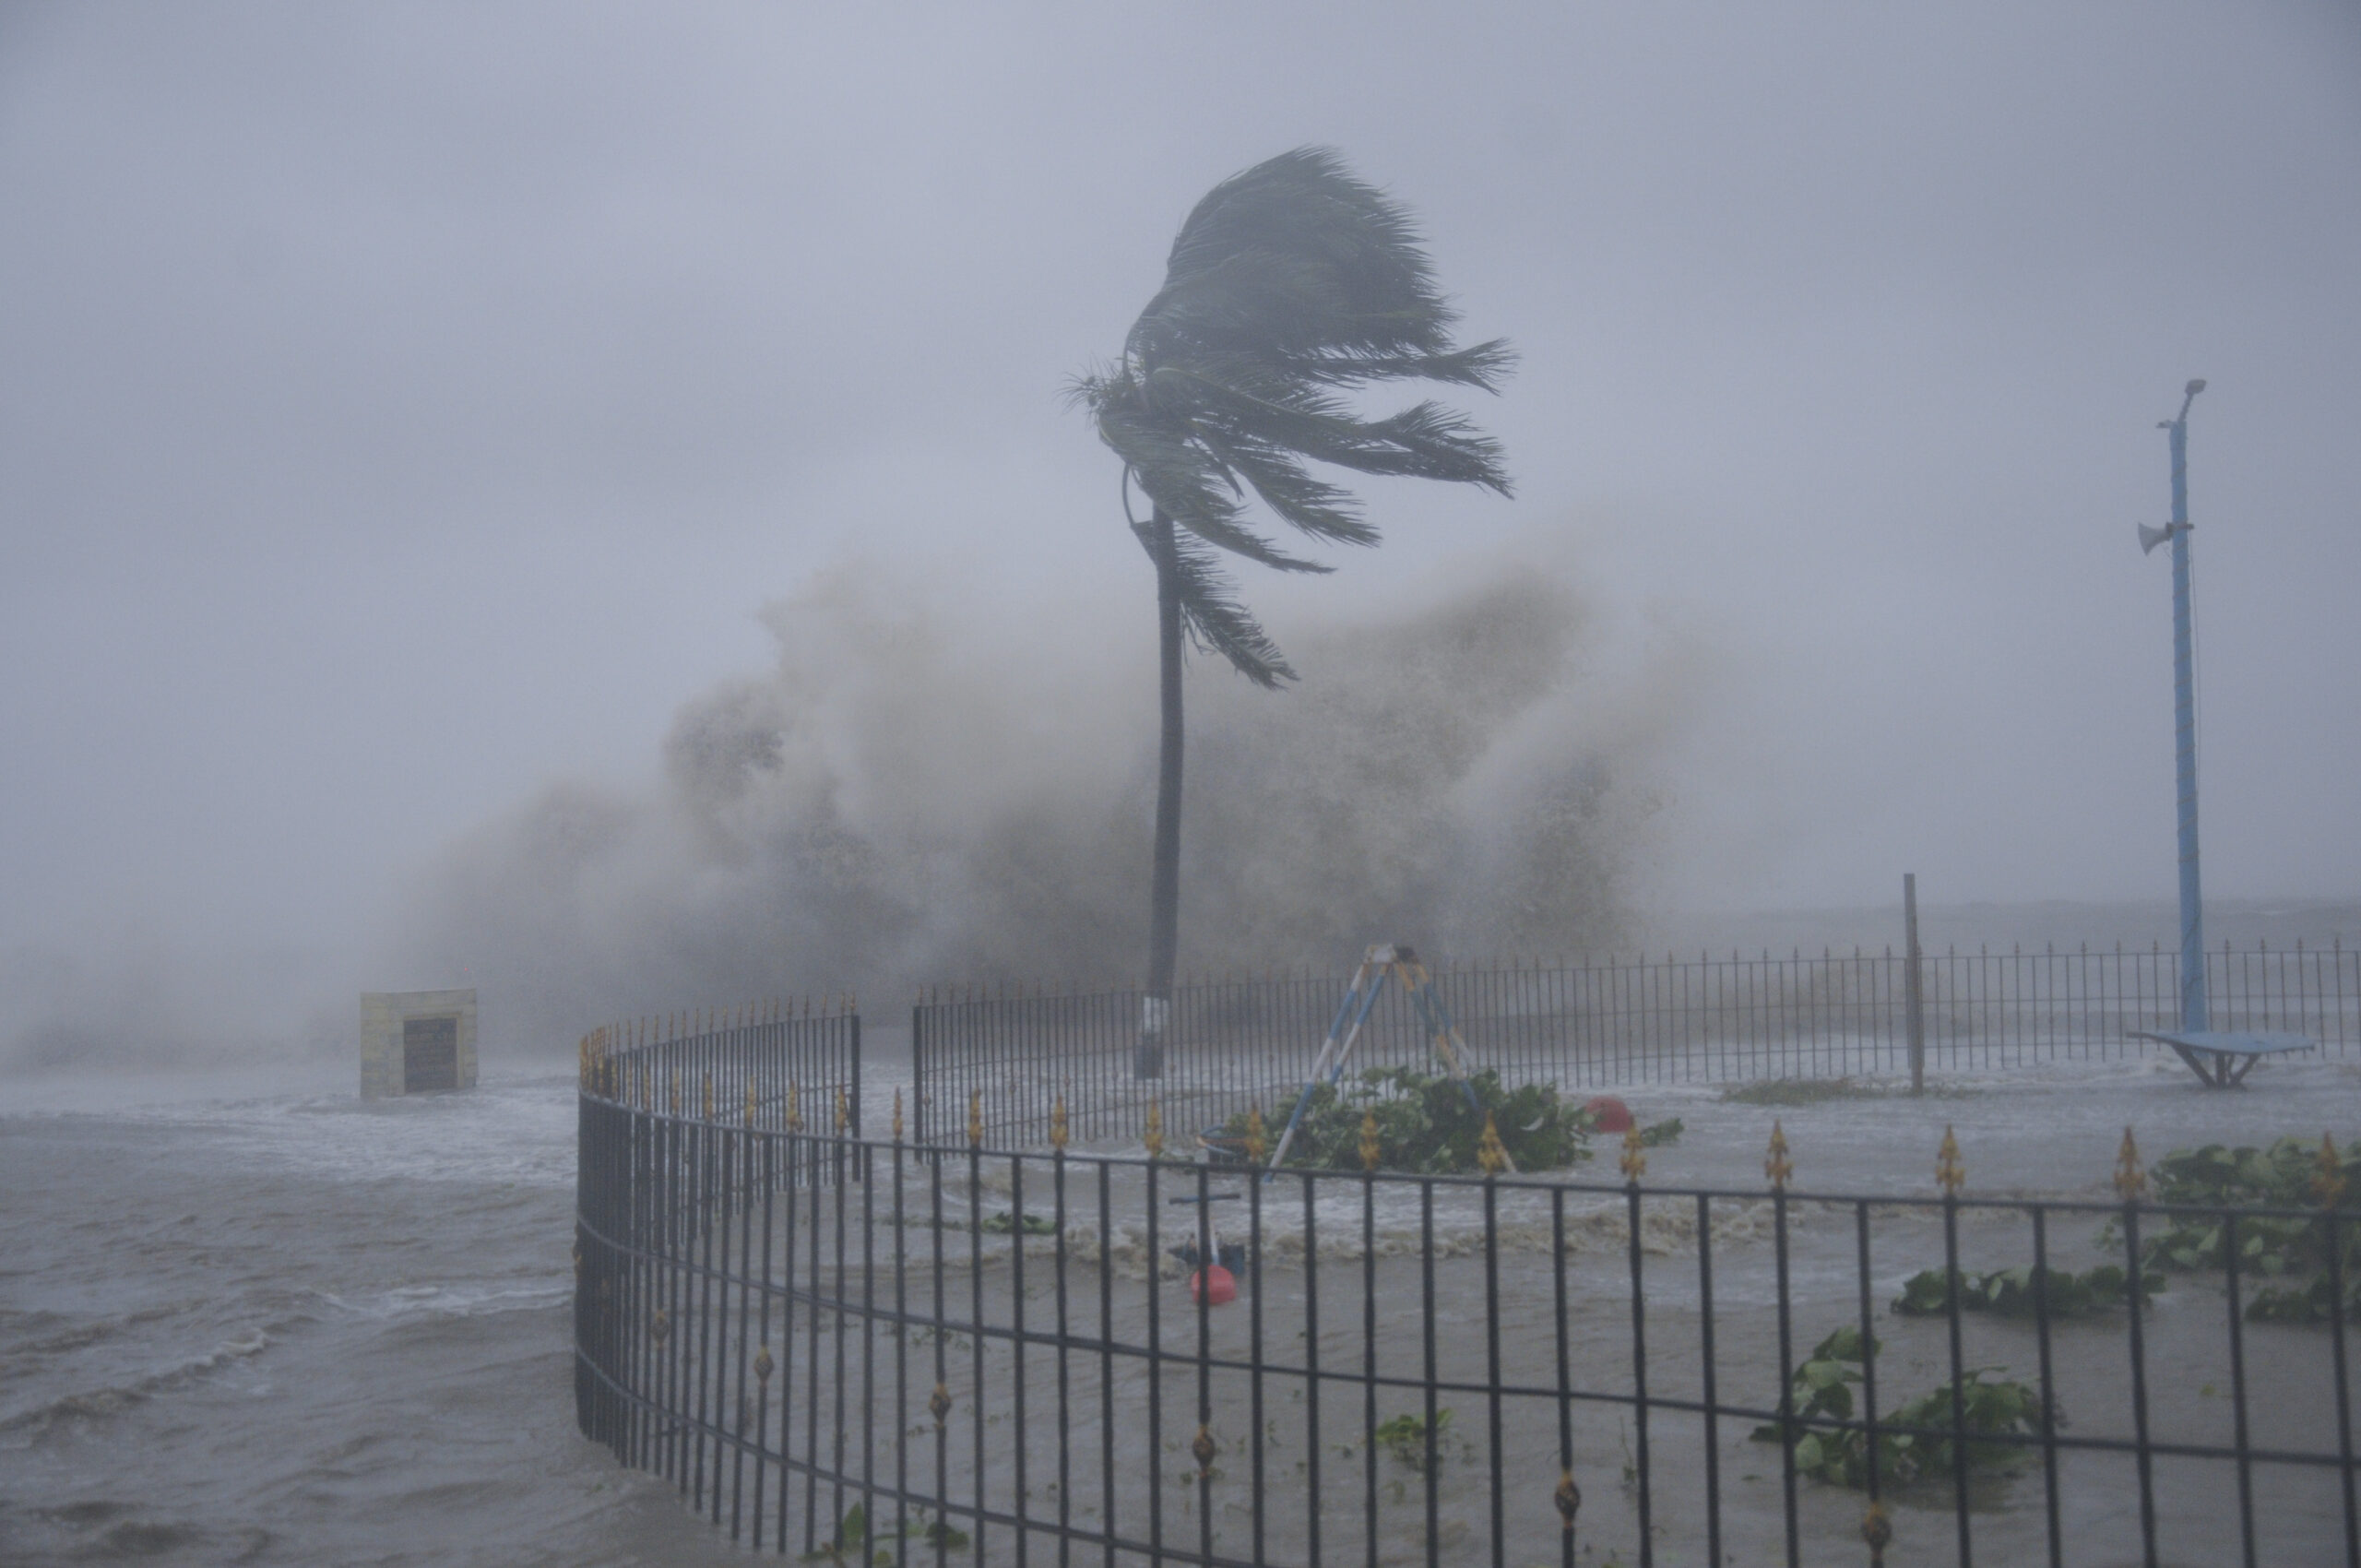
[{"x": 268, "y": 1324}]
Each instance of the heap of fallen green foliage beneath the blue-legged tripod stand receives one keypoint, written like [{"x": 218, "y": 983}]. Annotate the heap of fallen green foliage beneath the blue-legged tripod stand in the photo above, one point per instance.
[{"x": 1427, "y": 1125}]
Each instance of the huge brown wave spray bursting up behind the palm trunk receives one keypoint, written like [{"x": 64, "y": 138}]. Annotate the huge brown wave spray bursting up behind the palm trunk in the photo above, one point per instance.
[{"x": 910, "y": 797}]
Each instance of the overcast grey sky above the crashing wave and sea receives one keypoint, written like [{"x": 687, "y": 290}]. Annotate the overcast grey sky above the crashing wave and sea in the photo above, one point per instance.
[{"x": 410, "y": 407}]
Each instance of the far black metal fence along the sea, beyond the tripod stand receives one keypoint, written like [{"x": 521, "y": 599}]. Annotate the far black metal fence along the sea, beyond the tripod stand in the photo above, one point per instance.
[{"x": 1595, "y": 1024}]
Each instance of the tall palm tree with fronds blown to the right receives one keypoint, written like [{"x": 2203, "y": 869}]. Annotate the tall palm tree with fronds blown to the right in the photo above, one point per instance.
[{"x": 1288, "y": 289}]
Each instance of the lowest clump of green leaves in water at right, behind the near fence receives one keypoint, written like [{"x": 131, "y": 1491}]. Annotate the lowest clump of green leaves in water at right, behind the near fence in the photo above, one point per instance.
[{"x": 1992, "y": 1409}]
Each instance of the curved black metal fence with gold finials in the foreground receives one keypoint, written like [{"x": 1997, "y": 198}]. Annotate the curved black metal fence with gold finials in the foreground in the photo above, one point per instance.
[{"x": 868, "y": 1352}]
